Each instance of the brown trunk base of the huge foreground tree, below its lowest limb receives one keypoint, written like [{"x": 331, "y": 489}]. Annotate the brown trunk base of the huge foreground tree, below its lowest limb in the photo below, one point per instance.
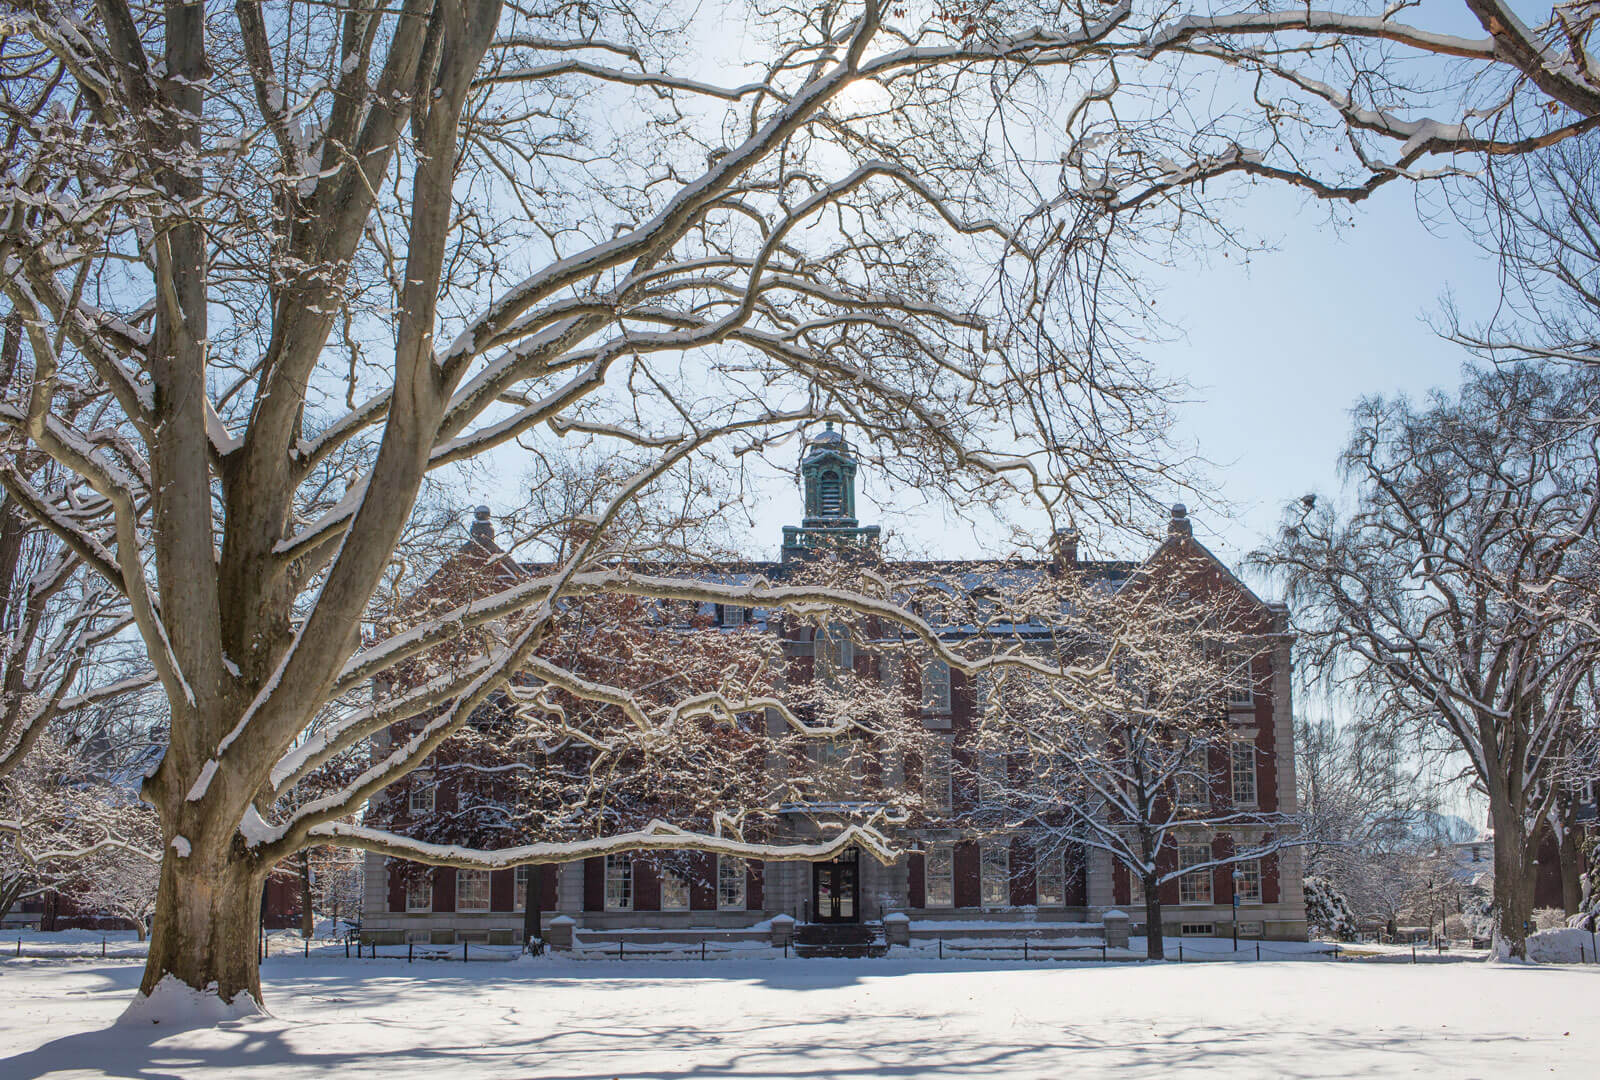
[{"x": 207, "y": 918}]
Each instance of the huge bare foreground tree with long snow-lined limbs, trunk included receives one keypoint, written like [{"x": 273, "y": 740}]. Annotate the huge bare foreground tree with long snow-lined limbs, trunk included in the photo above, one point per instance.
[{"x": 302, "y": 255}]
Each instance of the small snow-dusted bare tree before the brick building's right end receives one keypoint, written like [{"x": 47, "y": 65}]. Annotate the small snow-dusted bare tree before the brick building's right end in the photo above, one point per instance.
[{"x": 1143, "y": 764}]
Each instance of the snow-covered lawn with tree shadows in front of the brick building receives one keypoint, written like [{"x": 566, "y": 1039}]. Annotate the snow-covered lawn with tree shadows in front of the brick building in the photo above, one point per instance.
[{"x": 822, "y": 1018}]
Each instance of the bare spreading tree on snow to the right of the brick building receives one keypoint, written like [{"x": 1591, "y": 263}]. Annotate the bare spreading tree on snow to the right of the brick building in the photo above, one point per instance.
[{"x": 1460, "y": 593}]
